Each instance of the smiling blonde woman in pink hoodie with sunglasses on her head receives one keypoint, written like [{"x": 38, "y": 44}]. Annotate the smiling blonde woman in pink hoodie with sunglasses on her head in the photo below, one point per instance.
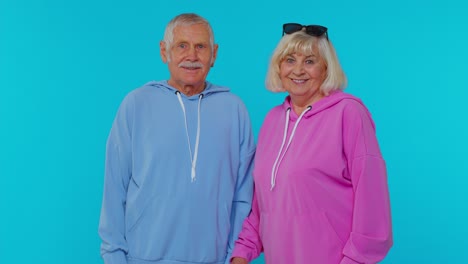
[{"x": 321, "y": 193}]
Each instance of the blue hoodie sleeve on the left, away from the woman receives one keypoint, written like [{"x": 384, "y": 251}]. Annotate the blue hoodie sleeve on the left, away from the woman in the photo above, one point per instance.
[{"x": 117, "y": 175}]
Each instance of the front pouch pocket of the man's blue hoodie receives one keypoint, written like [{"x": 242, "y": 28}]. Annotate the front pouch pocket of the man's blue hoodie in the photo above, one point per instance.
[{"x": 180, "y": 230}]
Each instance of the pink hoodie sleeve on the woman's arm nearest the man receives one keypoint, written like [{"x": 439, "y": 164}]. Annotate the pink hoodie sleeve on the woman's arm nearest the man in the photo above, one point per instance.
[{"x": 249, "y": 245}]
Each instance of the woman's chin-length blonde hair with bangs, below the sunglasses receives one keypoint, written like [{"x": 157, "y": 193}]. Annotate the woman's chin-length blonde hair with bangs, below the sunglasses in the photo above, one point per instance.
[{"x": 303, "y": 43}]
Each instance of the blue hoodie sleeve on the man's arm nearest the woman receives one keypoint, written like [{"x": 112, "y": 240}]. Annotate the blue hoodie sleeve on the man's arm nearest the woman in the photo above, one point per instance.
[{"x": 242, "y": 201}]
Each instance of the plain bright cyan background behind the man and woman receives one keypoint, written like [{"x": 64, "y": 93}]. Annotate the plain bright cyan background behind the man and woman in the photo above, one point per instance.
[{"x": 66, "y": 65}]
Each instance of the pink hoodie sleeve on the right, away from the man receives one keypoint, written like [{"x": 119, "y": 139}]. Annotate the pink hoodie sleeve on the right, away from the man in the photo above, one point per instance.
[{"x": 371, "y": 233}]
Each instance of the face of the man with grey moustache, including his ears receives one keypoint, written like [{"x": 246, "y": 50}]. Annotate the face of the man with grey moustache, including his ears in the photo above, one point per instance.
[{"x": 190, "y": 57}]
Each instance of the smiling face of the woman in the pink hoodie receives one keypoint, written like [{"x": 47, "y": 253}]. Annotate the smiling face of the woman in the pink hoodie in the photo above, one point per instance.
[{"x": 302, "y": 75}]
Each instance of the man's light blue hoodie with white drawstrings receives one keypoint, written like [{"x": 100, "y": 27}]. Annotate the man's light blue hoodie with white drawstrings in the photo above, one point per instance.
[{"x": 178, "y": 181}]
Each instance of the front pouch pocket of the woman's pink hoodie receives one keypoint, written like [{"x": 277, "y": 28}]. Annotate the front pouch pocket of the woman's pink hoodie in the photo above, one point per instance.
[{"x": 303, "y": 237}]
